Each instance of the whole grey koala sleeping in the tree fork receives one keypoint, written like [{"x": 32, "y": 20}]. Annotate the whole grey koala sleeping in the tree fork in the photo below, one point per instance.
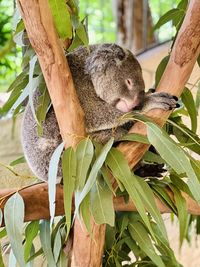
[{"x": 109, "y": 83}]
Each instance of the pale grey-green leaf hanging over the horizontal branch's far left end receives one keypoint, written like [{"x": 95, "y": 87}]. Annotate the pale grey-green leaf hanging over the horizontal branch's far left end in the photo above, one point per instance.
[{"x": 14, "y": 225}]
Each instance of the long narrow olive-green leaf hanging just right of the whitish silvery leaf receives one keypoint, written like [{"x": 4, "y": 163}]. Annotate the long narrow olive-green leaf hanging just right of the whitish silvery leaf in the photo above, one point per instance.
[{"x": 69, "y": 164}]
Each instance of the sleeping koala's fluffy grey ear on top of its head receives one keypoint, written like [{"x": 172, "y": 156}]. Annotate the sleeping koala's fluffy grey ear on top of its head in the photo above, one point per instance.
[{"x": 103, "y": 57}]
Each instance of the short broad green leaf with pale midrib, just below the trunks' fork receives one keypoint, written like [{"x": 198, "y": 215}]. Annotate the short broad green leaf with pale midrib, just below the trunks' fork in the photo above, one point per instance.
[{"x": 84, "y": 155}]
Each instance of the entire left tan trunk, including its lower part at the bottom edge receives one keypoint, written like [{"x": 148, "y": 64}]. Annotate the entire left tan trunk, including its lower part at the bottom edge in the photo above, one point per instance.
[{"x": 43, "y": 38}]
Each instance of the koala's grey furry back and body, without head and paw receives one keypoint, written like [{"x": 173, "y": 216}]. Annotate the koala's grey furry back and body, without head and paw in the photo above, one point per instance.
[{"x": 39, "y": 149}]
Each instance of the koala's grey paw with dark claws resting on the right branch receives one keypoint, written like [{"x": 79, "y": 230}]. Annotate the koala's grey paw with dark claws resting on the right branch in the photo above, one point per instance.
[{"x": 160, "y": 100}]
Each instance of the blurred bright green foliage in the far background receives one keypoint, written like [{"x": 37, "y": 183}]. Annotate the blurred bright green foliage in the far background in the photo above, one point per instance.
[{"x": 101, "y": 28}]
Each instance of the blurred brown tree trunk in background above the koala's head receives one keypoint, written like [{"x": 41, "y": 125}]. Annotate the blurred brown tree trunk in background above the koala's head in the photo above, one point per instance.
[{"x": 134, "y": 24}]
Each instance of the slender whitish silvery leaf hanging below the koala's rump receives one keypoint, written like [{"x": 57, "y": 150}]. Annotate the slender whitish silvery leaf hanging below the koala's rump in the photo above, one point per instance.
[{"x": 52, "y": 177}]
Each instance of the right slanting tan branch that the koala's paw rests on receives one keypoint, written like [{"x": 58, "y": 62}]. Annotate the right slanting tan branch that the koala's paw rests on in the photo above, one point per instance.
[{"x": 182, "y": 59}]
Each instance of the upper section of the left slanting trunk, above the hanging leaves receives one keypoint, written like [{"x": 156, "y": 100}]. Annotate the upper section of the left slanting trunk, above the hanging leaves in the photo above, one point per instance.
[{"x": 43, "y": 38}]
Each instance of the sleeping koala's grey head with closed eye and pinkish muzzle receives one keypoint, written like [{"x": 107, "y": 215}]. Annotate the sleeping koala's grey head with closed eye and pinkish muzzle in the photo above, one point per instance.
[{"x": 116, "y": 76}]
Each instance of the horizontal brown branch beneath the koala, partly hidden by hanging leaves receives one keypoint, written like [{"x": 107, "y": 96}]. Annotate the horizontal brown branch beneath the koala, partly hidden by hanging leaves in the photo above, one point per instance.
[{"x": 37, "y": 206}]
